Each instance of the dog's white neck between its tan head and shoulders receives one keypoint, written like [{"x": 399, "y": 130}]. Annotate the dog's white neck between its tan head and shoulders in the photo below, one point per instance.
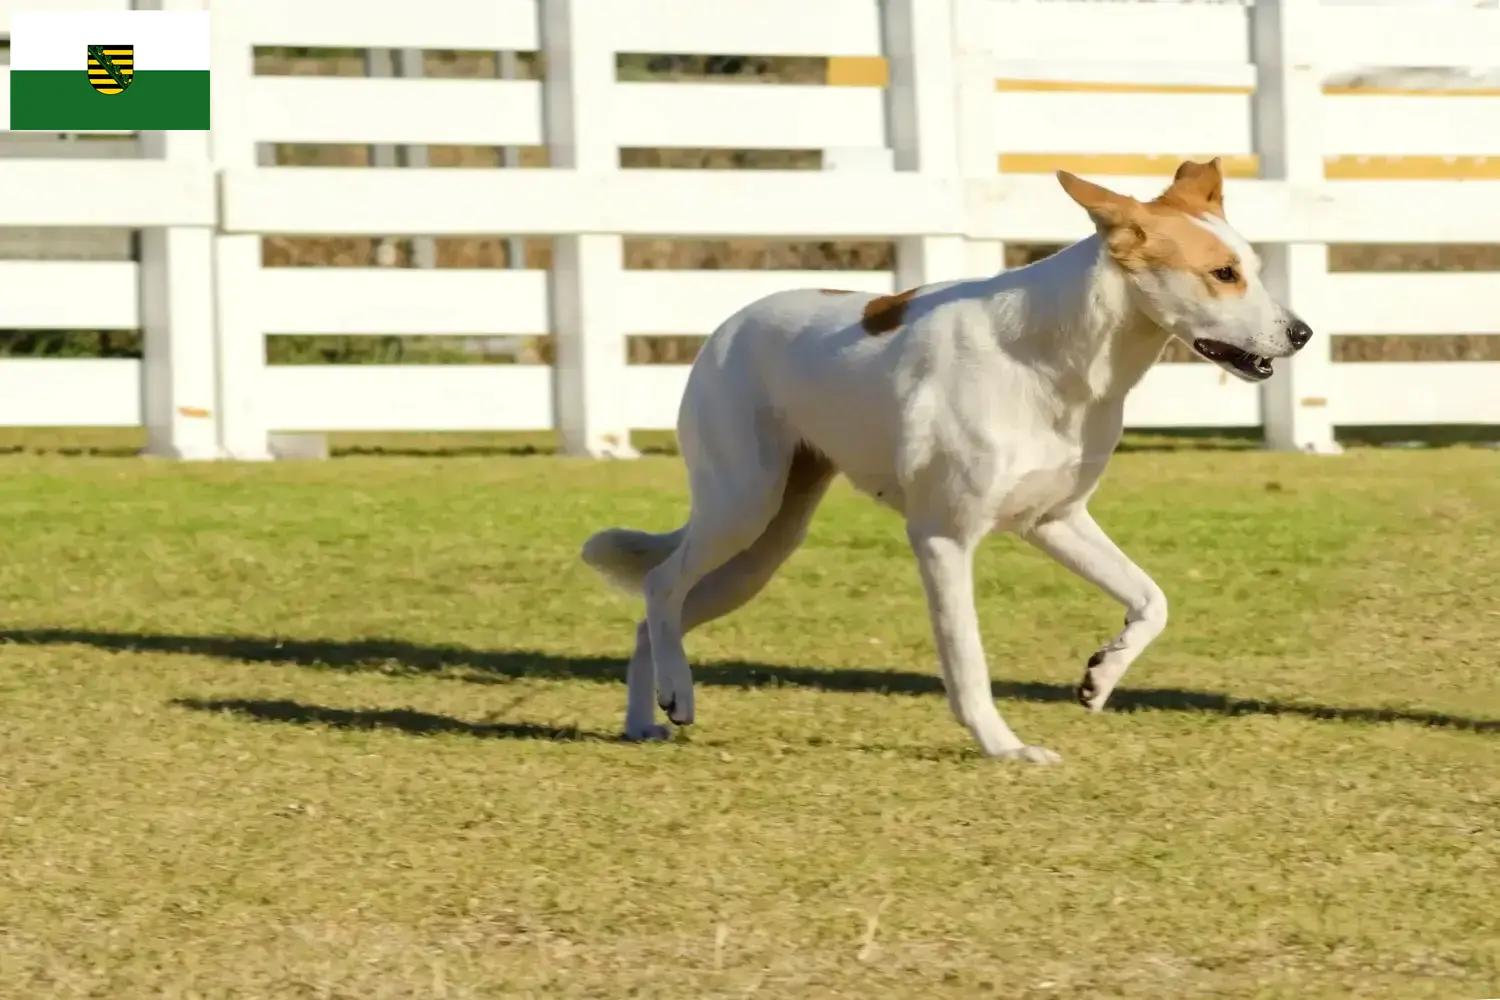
[{"x": 1073, "y": 319}]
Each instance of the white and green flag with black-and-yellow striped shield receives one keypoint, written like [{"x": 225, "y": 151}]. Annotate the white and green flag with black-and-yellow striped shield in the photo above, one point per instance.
[{"x": 101, "y": 71}]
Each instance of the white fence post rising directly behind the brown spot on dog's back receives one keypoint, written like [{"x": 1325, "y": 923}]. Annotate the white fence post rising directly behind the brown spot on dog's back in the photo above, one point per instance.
[{"x": 922, "y": 127}]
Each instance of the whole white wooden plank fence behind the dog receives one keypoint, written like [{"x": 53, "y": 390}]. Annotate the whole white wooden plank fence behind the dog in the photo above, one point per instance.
[{"x": 974, "y": 86}]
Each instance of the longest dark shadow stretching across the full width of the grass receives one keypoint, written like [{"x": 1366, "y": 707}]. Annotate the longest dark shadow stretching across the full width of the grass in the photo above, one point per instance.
[{"x": 398, "y": 657}]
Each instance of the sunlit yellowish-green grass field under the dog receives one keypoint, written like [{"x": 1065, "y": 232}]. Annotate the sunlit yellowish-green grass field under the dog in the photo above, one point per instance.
[{"x": 347, "y": 731}]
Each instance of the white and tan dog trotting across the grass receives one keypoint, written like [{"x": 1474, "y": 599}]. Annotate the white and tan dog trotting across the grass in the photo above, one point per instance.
[{"x": 968, "y": 407}]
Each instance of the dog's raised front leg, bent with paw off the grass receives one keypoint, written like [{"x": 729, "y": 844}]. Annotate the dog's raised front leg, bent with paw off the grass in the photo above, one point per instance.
[{"x": 1079, "y": 543}]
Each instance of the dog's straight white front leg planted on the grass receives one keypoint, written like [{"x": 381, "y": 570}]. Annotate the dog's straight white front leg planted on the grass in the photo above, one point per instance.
[{"x": 947, "y": 570}]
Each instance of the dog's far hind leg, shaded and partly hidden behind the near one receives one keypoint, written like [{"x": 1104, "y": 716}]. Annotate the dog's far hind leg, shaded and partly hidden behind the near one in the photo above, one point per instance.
[{"x": 734, "y": 584}]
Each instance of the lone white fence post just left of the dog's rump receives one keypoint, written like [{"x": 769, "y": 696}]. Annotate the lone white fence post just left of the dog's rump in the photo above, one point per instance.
[{"x": 589, "y": 364}]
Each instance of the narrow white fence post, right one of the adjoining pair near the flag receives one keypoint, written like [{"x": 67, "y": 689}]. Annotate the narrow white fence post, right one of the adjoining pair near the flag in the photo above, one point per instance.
[{"x": 238, "y": 259}]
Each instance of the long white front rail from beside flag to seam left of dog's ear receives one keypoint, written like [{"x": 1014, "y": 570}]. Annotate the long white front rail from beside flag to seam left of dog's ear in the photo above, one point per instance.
[{"x": 559, "y": 202}]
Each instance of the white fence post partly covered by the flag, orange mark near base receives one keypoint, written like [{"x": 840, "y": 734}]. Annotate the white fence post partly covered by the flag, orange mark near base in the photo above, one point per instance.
[{"x": 176, "y": 286}]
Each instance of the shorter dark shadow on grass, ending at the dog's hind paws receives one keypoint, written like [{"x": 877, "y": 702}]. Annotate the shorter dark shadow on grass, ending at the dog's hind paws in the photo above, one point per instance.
[{"x": 401, "y": 719}]
